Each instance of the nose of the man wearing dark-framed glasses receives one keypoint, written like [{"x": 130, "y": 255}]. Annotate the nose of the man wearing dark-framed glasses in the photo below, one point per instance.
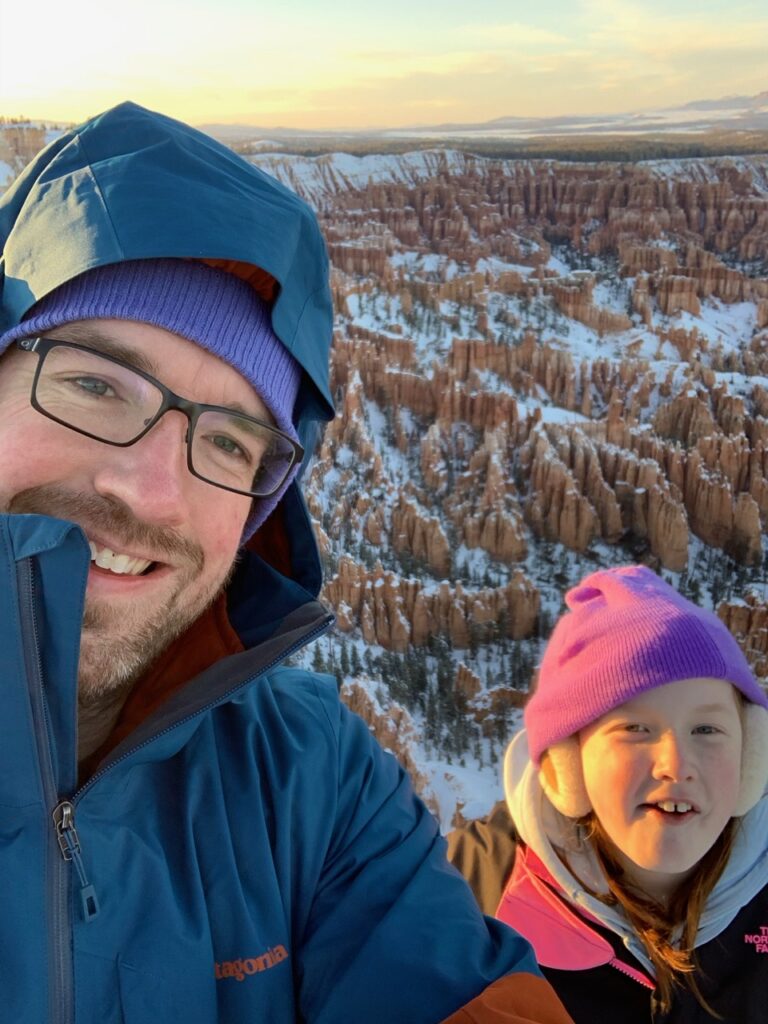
[{"x": 151, "y": 478}]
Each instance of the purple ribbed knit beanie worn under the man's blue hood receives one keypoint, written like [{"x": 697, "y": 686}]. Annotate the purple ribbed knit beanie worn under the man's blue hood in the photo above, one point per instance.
[{"x": 206, "y": 306}]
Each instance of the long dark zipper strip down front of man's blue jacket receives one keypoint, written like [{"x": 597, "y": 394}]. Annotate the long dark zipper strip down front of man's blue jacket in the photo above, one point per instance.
[{"x": 61, "y": 983}]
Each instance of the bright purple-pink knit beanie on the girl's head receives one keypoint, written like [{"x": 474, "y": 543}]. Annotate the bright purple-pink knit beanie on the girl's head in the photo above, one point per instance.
[{"x": 626, "y": 632}]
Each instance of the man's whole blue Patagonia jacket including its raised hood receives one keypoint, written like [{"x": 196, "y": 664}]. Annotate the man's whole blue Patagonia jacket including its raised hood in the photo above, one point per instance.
[{"x": 248, "y": 854}]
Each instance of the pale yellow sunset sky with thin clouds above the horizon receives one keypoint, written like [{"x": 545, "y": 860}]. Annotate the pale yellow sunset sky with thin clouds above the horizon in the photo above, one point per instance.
[{"x": 308, "y": 65}]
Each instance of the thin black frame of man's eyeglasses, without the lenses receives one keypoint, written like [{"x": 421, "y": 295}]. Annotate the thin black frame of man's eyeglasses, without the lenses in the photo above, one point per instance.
[{"x": 192, "y": 410}]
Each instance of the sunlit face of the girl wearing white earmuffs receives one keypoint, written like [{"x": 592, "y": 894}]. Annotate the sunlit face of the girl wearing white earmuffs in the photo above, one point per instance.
[{"x": 663, "y": 773}]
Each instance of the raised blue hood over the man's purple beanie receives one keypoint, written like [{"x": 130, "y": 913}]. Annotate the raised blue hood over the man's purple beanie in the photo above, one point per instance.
[{"x": 135, "y": 185}]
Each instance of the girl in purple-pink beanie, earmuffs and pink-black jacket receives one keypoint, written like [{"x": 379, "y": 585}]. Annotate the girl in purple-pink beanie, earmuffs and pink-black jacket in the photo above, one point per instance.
[{"x": 639, "y": 816}]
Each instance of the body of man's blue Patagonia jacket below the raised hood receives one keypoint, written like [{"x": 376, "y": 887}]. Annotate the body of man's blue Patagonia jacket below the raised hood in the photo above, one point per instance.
[{"x": 249, "y": 854}]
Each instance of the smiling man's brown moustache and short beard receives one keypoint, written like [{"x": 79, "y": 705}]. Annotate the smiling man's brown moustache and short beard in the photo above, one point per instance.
[{"x": 118, "y": 645}]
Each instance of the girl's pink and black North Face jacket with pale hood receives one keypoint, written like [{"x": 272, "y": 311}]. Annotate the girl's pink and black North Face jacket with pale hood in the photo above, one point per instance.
[{"x": 587, "y": 949}]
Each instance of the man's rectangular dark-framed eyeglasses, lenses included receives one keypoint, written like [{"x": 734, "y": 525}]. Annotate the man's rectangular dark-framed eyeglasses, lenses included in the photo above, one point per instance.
[{"x": 112, "y": 402}]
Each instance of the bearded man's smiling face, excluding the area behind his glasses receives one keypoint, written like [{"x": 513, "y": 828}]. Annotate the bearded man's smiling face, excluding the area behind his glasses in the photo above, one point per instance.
[{"x": 163, "y": 542}]
